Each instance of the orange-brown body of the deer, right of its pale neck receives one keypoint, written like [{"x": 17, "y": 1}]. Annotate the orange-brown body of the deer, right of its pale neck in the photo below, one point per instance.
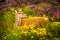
[{"x": 35, "y": 21}]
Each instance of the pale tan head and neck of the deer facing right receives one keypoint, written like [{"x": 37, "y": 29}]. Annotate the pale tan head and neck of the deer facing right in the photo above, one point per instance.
[{"x": 19, "y": 15}]
